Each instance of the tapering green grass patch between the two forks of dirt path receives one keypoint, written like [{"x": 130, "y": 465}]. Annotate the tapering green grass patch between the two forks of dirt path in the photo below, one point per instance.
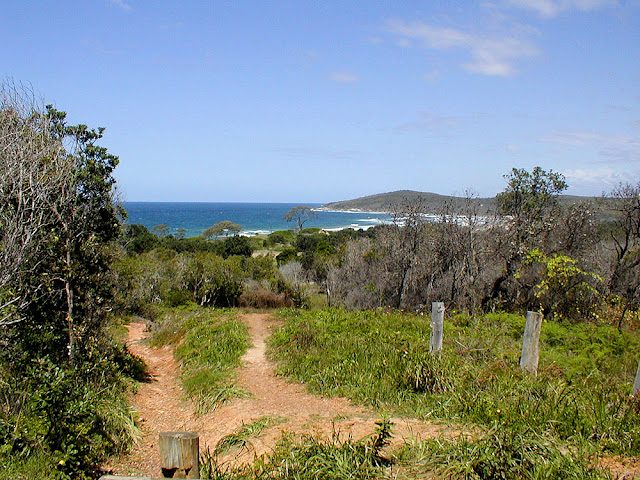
[{"x": 210, "y": 346}]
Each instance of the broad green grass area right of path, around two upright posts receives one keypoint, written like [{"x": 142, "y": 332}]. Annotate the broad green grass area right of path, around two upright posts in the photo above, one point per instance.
[{"x": 382, "y": 359}]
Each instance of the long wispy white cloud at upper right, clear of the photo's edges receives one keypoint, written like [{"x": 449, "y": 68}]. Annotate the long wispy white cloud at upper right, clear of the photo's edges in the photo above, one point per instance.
[{"x": 490, "y": 55}]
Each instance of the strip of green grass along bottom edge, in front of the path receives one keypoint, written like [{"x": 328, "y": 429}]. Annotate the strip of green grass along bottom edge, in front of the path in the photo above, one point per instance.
[{"x": 498, "y": 454}]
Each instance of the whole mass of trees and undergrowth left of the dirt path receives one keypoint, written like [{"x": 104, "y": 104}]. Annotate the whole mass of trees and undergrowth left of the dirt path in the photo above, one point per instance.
[{"x": 63, "y": 378}]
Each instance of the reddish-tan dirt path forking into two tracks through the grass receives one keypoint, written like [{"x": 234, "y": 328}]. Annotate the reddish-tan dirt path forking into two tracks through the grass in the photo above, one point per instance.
[{"x": 161, "y": 406}]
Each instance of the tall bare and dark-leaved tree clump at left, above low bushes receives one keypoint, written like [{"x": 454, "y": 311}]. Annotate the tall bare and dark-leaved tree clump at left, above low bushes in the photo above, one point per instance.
[{"x": 58, "y": 218}]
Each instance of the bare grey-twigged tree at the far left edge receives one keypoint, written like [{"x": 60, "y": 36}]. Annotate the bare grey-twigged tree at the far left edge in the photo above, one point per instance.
[{"x": 29, "y": 152}]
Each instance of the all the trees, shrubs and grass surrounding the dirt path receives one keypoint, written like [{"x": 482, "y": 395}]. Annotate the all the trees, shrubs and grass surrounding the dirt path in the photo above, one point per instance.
[{"x": 352, "y": 305}]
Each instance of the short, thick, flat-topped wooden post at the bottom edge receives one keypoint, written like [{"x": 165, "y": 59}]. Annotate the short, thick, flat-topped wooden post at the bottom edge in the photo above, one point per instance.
[{"x": 179, "y": 455}]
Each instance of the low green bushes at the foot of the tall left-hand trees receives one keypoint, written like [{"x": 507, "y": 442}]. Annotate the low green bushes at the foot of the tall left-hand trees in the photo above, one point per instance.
[{"x": 74, "y": 416}]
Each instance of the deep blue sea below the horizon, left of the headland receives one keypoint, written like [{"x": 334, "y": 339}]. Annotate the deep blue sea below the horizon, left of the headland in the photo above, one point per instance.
[{"x": 254, "y": 218}]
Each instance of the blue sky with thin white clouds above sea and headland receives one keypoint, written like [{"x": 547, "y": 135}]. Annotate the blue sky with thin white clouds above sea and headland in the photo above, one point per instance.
[{"x": 317, "y": 101}]
